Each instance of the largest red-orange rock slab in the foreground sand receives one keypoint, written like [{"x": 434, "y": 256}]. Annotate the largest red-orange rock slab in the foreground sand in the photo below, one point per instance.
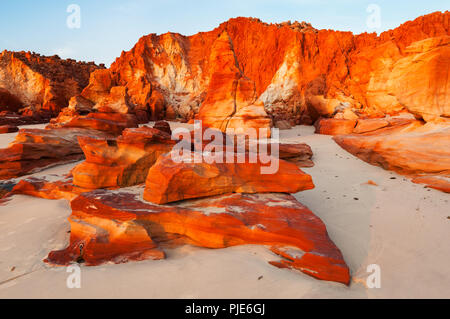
[{"x": 118, "y": 226}]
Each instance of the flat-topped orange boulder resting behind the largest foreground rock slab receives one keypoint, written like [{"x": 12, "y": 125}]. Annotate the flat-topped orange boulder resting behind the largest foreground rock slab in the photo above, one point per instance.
[{"x": 170, "y": 180}]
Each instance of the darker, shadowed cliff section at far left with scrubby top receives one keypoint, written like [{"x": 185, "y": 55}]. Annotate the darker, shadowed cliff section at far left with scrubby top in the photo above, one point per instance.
[{"x": 44, "y": 84}]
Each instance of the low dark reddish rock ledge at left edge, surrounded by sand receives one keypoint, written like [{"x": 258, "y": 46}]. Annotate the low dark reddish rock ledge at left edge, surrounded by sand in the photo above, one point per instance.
[{"x": 35, "y": 149}]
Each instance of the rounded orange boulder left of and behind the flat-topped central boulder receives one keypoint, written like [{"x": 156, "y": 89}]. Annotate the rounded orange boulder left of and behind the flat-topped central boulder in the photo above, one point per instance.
[{"x": 121, "y": 162}]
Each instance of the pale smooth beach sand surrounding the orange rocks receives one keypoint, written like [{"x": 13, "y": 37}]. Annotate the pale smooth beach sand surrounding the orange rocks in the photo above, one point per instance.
[{"x": 402, "y": 227}]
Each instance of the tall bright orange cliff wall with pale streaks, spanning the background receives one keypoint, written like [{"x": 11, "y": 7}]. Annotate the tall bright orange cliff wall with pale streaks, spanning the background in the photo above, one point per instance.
[{"x": 244, "y": 70}]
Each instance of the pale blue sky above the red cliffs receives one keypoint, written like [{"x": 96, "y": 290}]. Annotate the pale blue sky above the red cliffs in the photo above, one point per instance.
[{"x": 110, "y": 26}]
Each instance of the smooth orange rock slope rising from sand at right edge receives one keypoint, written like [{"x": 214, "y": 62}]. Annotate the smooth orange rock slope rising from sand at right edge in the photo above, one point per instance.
[{"x": 409, "y": 149}]
